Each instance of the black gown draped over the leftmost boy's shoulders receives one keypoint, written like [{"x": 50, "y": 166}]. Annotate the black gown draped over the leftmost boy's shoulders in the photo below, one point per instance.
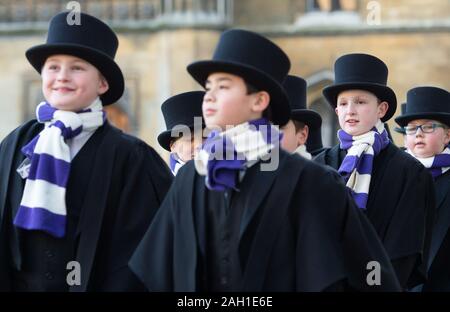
[{"x": 117, "y": 183}]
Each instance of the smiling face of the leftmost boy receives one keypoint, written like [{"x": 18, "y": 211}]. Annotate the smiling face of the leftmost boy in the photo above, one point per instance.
[{"x": 70, "y": 83}]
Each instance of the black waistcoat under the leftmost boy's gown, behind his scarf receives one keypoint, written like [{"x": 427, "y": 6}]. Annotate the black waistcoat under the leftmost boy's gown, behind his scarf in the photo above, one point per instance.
[{"x": 44, "y": 257}]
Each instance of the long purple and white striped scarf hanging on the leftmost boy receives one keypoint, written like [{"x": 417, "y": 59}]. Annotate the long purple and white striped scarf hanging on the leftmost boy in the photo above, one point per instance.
[{"x": 43, "y": 205}]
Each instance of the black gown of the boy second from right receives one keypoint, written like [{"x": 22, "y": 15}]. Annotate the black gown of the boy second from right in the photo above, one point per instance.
[{"x": 401, "y": 208}]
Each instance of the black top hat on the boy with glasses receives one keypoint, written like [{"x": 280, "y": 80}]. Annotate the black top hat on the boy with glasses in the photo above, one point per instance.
[{"x": 426, "y": 103}]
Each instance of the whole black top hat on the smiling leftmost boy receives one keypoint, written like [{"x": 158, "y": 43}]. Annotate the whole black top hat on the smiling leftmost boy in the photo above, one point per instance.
[{"x": 92, "y": 41}]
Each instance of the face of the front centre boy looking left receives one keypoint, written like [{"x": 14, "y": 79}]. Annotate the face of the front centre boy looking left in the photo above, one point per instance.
[{"x": 226, "y": 102}]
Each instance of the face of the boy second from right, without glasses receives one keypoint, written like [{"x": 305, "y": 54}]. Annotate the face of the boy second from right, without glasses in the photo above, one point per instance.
[{"x": 358, "y": 111}]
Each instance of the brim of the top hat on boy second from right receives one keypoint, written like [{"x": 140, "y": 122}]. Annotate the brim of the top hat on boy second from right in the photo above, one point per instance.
[{"x": 383, "y": 92}]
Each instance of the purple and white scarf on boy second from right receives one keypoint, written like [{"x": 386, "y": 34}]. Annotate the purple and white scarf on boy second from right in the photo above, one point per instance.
[{"x": 356, "y": 168}]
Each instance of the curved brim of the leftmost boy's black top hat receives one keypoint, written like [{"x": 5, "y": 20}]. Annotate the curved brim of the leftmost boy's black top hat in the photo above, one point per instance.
[{"x": 108, "y": 68}]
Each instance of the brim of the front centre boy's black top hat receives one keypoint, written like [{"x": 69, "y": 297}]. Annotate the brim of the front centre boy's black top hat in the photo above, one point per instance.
[{"x": 279, "y": 102}]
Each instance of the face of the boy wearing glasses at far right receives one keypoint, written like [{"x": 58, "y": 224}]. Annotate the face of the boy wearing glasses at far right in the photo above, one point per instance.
[{"x": 425, "y": 145}]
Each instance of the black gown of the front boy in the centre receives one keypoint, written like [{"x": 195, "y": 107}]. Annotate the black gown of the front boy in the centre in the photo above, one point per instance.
[{"x": 291, "y": 236}]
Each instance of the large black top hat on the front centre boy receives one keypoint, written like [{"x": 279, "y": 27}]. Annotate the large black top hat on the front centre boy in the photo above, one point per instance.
[{"x": 257, "y": 60}]
